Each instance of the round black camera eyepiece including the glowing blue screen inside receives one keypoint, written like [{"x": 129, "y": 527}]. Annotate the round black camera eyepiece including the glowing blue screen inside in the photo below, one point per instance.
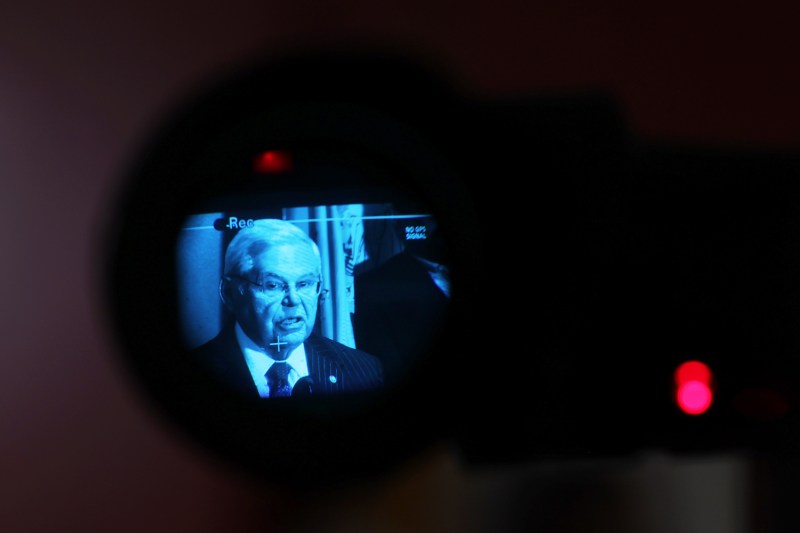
[{"x": 289, "y": 264}]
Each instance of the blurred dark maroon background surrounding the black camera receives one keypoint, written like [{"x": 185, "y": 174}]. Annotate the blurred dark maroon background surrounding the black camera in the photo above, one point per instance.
[{"x": 82, "y": 84}]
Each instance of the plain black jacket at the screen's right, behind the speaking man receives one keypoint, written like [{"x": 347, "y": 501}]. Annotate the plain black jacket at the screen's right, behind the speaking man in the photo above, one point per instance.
[{"x": 398, "y": 310}]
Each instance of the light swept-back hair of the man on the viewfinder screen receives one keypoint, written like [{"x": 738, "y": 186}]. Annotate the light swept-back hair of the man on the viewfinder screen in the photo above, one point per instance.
[{"x": 251, "y": 241}]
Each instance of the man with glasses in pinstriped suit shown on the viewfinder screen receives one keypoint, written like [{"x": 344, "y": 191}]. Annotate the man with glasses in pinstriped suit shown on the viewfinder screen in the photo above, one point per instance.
[{"x": 272, "y": 285}]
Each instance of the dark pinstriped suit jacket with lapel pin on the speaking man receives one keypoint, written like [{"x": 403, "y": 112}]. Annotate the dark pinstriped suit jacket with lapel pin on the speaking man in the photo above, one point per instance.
[{"x": 333, "y": 367}]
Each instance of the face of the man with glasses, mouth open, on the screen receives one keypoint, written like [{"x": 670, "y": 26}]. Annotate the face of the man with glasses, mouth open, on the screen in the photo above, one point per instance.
[{"x": 279, "y": 309}]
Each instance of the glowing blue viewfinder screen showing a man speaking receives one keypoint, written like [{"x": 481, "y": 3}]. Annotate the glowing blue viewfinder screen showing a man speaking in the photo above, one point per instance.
[{"x": 311, "y": 300}]
